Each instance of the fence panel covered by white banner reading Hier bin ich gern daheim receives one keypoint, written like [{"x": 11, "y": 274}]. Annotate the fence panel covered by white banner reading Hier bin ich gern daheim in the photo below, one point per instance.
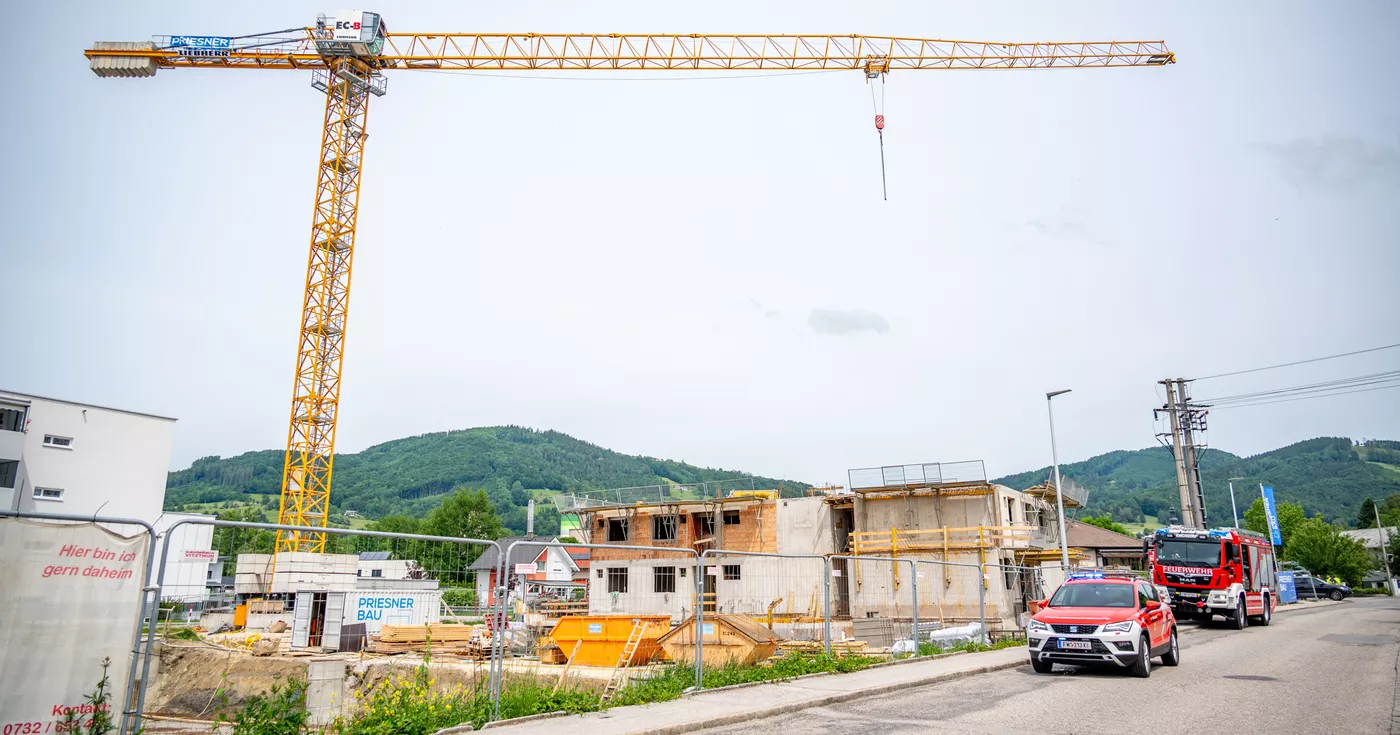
[{"x": 75, "y": 598}]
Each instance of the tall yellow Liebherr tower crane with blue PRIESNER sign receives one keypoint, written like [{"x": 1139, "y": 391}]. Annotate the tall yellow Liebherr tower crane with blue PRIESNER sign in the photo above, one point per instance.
[{"x": 349, "y": 55}]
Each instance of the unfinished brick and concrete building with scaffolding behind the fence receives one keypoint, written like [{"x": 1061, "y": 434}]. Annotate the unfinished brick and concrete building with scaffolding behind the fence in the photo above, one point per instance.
[{"x": 937, "y": 513}]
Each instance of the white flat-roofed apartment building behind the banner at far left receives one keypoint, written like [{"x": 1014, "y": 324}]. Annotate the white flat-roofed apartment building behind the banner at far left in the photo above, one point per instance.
[{"x": 73, "y": 458}]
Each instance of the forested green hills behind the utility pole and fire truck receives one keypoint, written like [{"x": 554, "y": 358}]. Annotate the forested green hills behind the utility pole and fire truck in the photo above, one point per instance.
[{"x": 1328, "y": 475}]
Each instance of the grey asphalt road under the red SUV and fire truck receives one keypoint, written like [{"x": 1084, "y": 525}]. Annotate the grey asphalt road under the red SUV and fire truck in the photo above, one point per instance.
[{"x": 1332, "y": 670}]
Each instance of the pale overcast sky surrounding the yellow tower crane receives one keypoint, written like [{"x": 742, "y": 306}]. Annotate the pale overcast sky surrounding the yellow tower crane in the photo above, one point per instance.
[{"x": 705, "y": 269}]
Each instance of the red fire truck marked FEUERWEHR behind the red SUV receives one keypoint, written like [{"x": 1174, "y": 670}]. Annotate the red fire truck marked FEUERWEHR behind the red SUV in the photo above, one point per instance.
[{"x": 1219, "y": 572}]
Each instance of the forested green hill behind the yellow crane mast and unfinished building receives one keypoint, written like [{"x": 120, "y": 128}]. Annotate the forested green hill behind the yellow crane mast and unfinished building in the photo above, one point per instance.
[{"x": 409, "y": 477}]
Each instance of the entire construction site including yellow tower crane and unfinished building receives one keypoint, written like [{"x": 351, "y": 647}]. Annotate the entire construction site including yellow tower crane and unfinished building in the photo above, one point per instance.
[{"x": 902, "y": 561}]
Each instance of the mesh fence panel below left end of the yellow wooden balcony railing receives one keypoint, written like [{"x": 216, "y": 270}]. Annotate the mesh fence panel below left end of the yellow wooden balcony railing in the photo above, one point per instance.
[{"x": 878, "y": 597}]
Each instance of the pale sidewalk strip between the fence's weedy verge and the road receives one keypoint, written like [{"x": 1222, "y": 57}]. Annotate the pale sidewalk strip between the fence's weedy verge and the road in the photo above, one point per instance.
[{"x": 741, "y": 705}]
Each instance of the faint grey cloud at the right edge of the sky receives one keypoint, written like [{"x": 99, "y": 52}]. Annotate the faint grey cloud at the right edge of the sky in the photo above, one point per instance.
[{"x": 1336, "y": 163}]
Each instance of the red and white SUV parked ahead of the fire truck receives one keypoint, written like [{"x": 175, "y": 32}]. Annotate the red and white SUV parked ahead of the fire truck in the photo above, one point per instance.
[{"x": 1098, "y": 618}]
